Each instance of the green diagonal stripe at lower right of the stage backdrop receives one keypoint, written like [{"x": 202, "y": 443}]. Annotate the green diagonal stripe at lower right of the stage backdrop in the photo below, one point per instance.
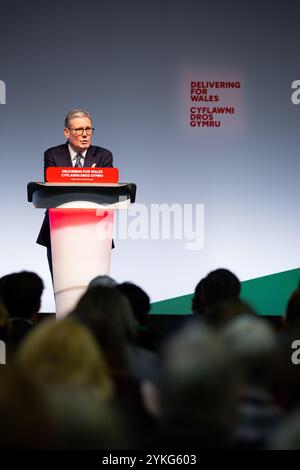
[{"x": 268, "y": 295}]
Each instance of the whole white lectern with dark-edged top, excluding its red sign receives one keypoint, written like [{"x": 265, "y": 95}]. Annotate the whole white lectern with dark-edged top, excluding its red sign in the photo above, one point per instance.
[{"x": 81, "y": 229}]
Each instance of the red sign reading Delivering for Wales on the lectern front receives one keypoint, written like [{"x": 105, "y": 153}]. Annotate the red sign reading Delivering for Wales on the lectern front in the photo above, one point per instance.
[{"x": 58, "y": 174}]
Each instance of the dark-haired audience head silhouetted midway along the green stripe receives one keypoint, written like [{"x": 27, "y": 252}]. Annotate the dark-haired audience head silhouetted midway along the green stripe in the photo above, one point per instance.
[{"x": 218, "y": 286}]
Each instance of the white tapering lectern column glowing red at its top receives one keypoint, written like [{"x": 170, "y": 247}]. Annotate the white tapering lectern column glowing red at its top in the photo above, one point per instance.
[{"x": 81, "y": 242}]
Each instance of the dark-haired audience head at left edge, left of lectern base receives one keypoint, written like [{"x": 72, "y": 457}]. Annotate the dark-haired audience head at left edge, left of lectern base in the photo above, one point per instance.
[{"x": 21, "y": 293}]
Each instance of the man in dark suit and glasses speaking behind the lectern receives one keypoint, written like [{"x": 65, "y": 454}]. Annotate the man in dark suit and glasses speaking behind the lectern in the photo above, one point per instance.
[{"x": 76, "y": 152}]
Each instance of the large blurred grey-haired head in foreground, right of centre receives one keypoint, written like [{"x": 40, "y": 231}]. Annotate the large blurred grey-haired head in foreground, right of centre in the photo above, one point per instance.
[{"x": 198, "y": 381}]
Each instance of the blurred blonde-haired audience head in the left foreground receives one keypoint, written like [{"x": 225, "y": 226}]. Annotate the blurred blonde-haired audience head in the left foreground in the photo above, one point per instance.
[{"x": 64, "y": 353}]
